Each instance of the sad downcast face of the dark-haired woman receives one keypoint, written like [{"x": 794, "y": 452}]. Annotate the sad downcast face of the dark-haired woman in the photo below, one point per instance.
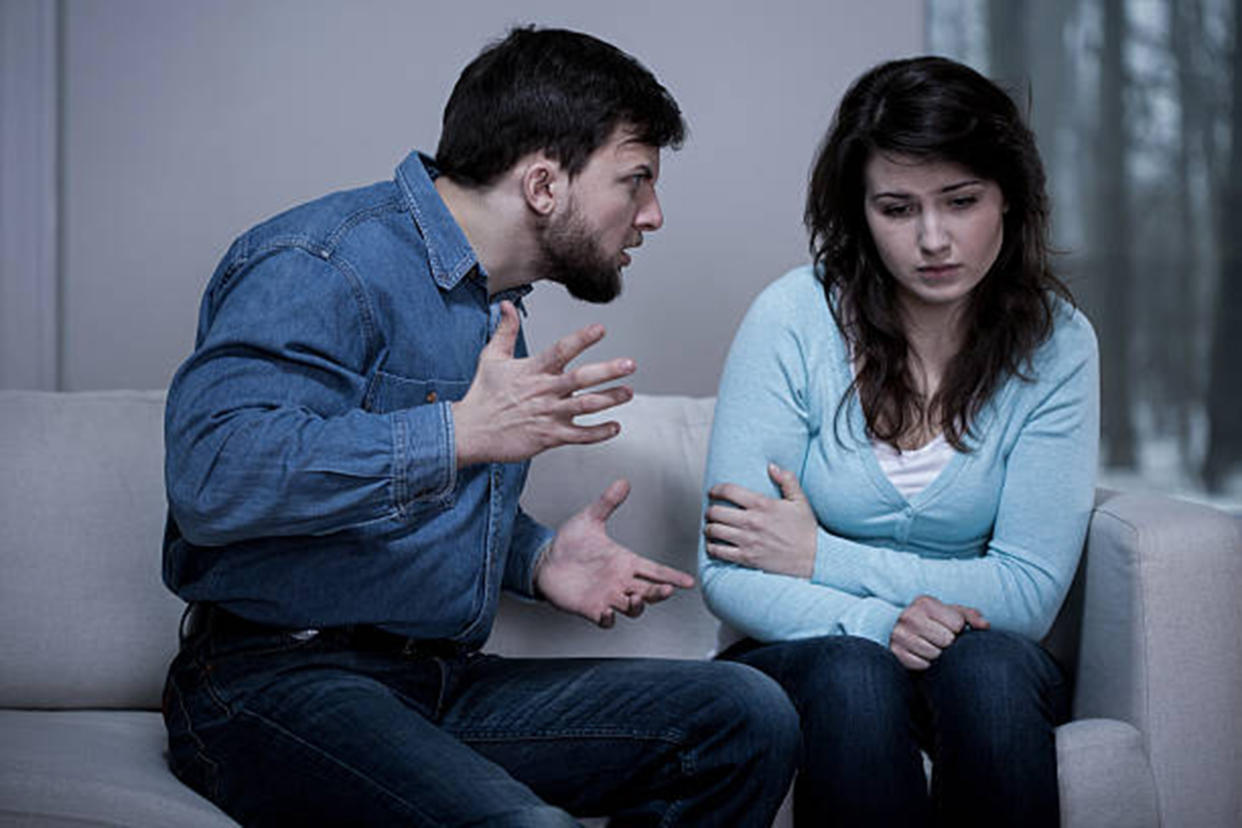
[{"x": 937, "y": 225}]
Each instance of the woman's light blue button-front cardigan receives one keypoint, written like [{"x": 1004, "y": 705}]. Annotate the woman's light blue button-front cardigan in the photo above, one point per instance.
[{"x": 1002, "y": 528}]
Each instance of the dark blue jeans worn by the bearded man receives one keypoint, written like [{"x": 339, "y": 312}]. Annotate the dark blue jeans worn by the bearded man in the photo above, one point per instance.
[{"x": 281, "y": 729}]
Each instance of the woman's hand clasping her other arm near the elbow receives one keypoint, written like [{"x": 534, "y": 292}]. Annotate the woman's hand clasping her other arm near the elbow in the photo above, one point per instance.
[{"x": 776, "y": 536}]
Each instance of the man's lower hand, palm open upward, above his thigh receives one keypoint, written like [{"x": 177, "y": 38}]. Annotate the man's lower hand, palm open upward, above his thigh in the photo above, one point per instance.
[{"x": 586, "y": 573}]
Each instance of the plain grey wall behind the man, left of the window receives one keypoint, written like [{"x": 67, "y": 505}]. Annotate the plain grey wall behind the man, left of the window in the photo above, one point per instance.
[{"x": 184, "y": 124}]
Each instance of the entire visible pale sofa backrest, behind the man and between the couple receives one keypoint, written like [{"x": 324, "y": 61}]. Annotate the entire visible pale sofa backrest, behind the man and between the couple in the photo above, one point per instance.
[{"x": 88, "y": 623}]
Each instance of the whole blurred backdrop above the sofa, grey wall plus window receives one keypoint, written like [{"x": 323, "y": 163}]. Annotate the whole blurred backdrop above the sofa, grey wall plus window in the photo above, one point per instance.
[{"x": 140, "y": 137}]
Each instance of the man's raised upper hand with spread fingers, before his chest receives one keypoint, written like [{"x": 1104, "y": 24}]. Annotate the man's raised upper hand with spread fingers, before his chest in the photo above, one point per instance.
[{"x": 519, "y": 408}]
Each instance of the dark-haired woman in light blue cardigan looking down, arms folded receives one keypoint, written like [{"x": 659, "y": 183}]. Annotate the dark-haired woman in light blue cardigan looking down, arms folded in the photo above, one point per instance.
[{"x": 902, "y": 464}]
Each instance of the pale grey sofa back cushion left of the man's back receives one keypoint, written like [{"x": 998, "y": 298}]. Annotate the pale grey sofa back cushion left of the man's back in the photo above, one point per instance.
[{"x": 86, "y": 620}]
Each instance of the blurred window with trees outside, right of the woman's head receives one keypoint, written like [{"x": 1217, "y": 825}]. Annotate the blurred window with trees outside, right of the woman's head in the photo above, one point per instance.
[{"x": 1137, "y": 106}]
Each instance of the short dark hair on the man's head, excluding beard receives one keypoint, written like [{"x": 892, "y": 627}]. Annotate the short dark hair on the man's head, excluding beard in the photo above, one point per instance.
[{"x": 550, "y": 90}]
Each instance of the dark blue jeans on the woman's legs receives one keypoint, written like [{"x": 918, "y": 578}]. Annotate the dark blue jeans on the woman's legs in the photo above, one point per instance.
[{"x": 984, "y": 712}]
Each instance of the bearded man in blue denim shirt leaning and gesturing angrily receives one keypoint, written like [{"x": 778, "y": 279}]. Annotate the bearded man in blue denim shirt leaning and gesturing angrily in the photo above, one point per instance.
[{"x": 346, "y": 451}]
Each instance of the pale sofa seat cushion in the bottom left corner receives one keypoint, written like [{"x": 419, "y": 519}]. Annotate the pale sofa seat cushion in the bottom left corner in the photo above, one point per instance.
[{"x": 94, "y": 768}]
